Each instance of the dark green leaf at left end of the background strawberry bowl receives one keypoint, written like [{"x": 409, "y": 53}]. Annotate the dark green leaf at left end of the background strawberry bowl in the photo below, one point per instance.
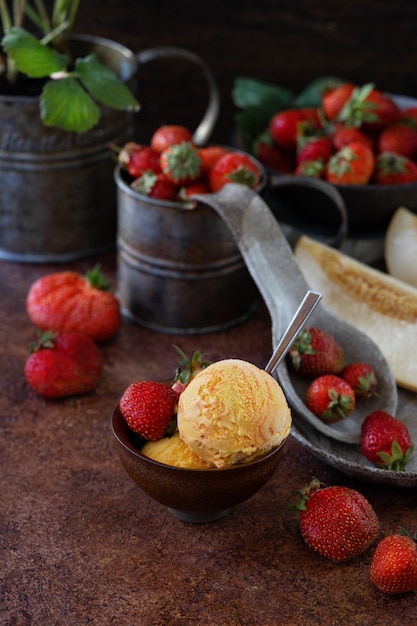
[{"x": 248, "y": 92}]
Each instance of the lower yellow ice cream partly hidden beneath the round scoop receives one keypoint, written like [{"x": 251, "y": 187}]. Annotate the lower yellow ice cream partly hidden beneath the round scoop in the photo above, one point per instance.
[{"x": 173, "y": 451}]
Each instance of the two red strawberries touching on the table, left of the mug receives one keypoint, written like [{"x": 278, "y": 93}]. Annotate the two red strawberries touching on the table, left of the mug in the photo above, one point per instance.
[{"x": 73, "y": 313}]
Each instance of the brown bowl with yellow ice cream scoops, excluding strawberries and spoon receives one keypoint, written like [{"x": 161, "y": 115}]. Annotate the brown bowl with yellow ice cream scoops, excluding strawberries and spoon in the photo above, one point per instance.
[{"x": 232, "y": 423}]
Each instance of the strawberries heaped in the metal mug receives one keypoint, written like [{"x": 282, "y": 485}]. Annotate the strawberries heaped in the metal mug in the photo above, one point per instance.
[{"x": 173, "y": 168}]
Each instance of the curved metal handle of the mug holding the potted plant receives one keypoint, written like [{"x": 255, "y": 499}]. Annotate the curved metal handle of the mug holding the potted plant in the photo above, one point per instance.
[{"x": 205, "y": 128}]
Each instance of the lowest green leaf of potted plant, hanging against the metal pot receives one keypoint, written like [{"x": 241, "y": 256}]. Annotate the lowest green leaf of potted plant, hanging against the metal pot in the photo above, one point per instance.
[{"x": 65, "y": 104}]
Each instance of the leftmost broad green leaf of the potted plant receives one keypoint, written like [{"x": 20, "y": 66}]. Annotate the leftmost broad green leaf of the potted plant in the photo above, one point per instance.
[{"x": 31, "y": 56}]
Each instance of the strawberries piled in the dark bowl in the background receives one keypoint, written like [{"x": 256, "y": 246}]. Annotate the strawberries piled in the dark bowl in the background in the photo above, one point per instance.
[{"x": 358, "y": 136}]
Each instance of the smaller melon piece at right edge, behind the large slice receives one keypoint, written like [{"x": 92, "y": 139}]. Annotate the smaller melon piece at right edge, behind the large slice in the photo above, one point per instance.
[{"x": 401, "y": 246}]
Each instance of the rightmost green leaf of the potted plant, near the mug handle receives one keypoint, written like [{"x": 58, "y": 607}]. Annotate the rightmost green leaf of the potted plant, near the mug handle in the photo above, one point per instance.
[{"x": 104, "y": 85}]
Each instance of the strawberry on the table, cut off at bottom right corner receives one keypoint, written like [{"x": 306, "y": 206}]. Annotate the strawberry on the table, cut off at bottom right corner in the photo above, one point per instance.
[{"x": 394, "y": 564}]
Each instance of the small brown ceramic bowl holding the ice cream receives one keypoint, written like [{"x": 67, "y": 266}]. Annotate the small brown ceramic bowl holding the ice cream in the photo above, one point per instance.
[{"x": 191, "y": 495}]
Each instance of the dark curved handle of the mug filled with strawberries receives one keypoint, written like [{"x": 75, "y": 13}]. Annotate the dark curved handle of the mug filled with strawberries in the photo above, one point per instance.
[{"x": 325, "y": 188}]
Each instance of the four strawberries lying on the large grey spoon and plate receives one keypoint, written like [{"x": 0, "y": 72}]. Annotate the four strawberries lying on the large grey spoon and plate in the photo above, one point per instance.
[{"x": 334, "y": 390}]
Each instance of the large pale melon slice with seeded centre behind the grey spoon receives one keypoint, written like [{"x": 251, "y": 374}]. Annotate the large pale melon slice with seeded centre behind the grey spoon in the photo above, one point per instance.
[{"x": 382, "y": 306}]
